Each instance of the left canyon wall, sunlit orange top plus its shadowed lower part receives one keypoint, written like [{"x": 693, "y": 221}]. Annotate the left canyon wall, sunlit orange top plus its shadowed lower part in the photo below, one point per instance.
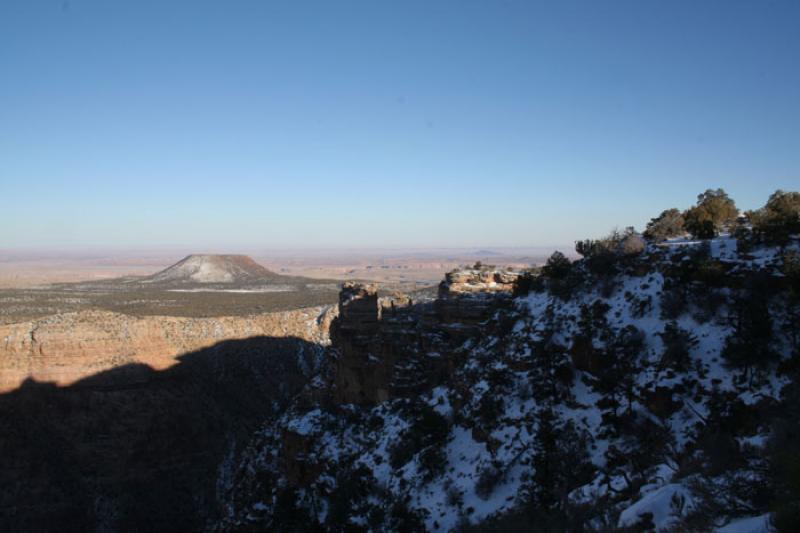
[{"x": 116, "y": 423}]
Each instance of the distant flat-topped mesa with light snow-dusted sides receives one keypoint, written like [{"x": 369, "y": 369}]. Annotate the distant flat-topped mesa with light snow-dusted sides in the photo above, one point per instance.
[{"x": 210, "y": 268}]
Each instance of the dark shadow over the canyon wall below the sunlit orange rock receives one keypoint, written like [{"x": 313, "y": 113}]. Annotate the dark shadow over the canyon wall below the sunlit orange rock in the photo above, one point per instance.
[{"x": 133, "y": 449}]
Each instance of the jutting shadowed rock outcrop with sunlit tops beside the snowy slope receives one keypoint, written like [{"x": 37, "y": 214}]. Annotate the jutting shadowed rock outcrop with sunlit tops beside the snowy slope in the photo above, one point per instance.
[{"x": 389, "y": 347}]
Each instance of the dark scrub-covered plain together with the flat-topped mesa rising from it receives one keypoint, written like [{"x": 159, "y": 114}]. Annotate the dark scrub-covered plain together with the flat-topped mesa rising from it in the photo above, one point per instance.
[{"x": 197, "y": 286}]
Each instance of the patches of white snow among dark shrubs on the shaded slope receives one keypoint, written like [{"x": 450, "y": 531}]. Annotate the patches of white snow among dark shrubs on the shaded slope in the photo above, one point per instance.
[{"x": 452, "y": 497}]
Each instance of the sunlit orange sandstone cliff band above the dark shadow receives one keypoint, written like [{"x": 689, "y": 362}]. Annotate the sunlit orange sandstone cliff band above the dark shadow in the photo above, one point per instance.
[{"x": 66, "y": 348}]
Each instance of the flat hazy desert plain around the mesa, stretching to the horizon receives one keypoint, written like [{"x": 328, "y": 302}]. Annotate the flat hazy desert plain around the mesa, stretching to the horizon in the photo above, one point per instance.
[{"x": 142, "y": 284}]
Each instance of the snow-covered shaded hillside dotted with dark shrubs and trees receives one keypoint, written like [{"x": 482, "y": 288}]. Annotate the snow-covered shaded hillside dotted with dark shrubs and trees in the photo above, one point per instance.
[{"x": 633, "y": 396}]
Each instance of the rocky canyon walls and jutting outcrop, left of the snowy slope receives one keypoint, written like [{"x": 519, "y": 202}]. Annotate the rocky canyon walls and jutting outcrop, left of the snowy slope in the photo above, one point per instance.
[{"x": 114, "y": 422}]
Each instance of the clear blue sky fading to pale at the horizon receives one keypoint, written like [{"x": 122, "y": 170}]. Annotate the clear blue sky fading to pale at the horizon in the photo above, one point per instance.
[{"x": 385, "y": 124}]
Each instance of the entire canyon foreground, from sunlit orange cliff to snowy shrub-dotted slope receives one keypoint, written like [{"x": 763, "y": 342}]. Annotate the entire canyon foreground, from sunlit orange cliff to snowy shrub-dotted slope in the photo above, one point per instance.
[{"x": 614, "y": 386}]
